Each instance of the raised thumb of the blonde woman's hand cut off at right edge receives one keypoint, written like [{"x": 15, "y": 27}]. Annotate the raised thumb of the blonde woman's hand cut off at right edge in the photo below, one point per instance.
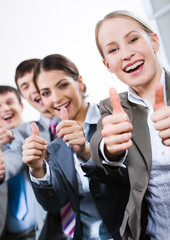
[{"x": 159, "y": 97}]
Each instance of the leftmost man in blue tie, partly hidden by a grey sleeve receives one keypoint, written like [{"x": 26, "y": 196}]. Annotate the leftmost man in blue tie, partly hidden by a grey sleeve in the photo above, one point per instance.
[{"x": 14, "y": 224}]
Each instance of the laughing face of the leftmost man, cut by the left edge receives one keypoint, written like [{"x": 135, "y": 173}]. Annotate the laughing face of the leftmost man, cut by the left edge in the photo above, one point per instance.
[{"x": 10, "y": 110}]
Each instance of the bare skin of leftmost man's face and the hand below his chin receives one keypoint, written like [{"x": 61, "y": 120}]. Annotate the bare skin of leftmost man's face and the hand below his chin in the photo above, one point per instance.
[{"x": 10, "y": 115}]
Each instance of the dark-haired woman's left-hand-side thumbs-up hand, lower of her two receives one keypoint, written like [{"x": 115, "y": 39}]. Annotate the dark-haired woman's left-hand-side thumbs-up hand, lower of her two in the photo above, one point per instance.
[{"x": 34, "y": 149}]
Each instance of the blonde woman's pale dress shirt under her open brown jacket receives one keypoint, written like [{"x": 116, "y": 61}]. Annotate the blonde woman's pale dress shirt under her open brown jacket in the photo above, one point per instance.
[{"x": 158, "y": 191}]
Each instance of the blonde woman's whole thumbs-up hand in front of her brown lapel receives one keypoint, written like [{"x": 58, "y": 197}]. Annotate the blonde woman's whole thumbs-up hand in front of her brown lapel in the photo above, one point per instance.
[{"x": 117, "y": 129}]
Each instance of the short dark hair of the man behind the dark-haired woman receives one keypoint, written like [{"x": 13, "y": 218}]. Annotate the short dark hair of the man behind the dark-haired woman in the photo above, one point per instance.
[{"x": 25, "y": 67}]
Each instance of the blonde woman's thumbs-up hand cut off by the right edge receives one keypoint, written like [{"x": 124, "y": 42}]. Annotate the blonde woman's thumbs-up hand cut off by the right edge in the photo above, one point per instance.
[{"x": 161, "y": 115}]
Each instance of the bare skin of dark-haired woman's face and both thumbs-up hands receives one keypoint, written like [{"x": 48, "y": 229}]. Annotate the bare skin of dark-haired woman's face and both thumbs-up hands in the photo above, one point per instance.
[{"x": 63, "y": 96}]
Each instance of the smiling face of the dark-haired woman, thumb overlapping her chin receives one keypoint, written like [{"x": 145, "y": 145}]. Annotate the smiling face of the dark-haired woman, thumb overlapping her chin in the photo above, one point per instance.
[{"x": 58, "y": 90}]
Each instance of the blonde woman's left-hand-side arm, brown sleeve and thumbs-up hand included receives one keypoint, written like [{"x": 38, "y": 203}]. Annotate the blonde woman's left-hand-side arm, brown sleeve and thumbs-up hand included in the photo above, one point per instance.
[{"x": 115, "y": 129}]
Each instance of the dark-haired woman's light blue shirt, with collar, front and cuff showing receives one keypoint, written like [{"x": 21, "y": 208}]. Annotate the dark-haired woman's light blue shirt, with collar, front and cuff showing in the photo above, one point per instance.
[{"x": 93, "y": 226}]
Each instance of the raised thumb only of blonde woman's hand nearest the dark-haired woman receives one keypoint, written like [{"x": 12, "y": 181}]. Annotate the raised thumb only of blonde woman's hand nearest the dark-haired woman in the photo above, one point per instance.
[{"x": 115, "y": 101}]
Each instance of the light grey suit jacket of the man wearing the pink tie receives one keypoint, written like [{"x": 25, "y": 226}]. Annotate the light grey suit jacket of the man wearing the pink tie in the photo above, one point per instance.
[{"x": 15, "y": 165}]
